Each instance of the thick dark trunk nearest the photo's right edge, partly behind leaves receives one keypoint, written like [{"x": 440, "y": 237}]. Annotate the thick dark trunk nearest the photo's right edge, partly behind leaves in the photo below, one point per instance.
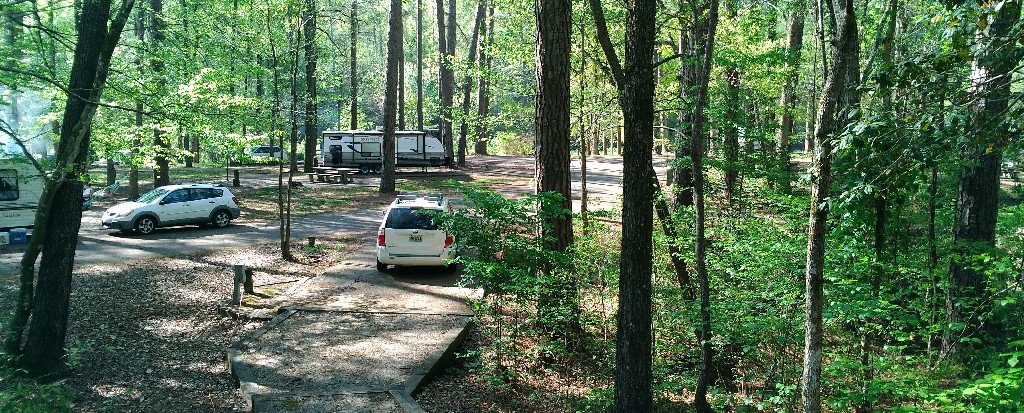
[{"x": 978, "y": 186}]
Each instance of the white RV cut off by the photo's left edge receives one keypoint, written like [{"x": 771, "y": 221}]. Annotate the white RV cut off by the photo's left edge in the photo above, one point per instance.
[{"x": 21, "y": 188}]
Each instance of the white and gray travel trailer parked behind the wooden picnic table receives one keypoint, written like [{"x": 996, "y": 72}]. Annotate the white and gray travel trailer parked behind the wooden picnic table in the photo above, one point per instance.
[{"x": 363, "y": 149}]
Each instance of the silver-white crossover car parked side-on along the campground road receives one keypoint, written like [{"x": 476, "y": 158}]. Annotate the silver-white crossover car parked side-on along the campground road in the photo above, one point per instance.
[{"x": 175, "y": 205}]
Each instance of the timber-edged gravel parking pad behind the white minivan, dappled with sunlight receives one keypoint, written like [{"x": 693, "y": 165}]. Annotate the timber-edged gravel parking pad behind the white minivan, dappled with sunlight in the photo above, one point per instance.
[{"x": 354, "y": 341}]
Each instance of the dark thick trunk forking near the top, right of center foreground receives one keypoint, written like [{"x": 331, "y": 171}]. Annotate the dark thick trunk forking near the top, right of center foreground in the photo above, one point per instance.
[{"x": 635, "y": 85}]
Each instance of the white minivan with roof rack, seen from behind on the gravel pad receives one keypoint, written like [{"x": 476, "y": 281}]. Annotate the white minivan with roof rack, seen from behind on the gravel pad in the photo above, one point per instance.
[{"x": 409, "y": 236}]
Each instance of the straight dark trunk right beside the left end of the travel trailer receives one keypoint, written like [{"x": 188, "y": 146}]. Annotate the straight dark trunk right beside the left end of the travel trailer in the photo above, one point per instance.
[{"x": 310, "y": 47}]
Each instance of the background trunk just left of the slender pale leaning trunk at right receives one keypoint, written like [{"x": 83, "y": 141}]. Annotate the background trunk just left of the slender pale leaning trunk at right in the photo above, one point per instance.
[{"x": 787, "y": 103}]
